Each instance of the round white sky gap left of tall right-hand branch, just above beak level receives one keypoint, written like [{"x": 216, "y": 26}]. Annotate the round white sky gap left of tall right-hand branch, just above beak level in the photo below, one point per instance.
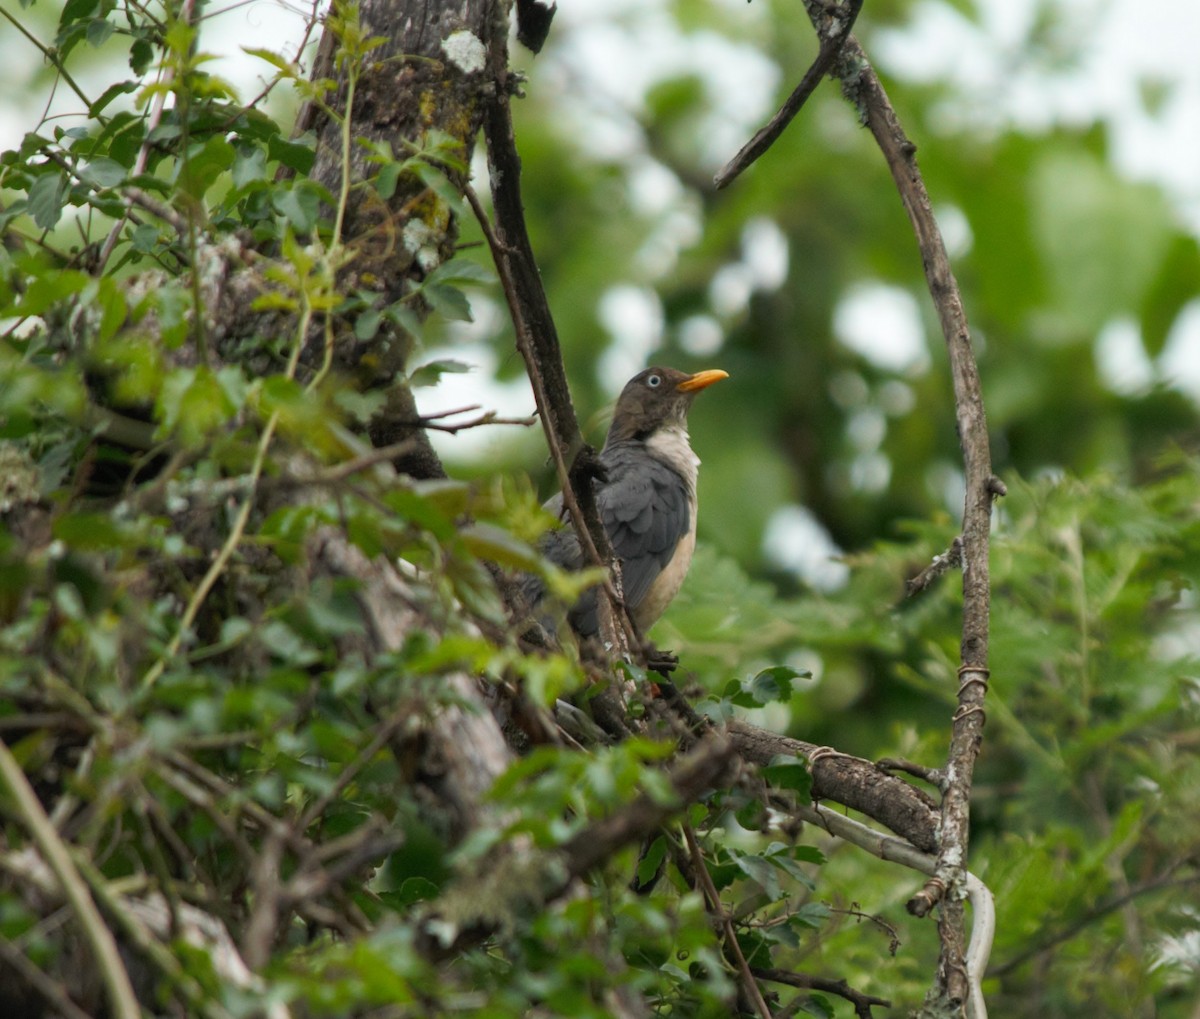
[{"x": 884, "y": 325}]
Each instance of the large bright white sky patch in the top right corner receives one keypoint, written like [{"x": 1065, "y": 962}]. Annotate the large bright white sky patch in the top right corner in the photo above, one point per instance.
[{"x": 998, "y": 80}]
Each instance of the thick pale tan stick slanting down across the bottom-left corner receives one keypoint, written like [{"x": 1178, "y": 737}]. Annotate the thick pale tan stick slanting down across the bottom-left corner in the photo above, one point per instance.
[{"x": 98, "y": 936}]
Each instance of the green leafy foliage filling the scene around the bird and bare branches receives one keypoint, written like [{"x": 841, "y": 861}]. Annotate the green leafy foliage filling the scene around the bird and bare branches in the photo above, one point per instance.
[{"x": 184, "y": 684}]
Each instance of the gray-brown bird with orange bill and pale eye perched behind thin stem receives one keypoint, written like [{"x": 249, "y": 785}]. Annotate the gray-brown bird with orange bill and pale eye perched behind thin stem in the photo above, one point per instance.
[{"x": 646, "y": 499}]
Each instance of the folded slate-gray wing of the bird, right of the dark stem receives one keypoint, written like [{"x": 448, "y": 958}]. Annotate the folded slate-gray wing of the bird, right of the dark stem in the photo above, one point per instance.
[{"x": 646, "y": 512}]
